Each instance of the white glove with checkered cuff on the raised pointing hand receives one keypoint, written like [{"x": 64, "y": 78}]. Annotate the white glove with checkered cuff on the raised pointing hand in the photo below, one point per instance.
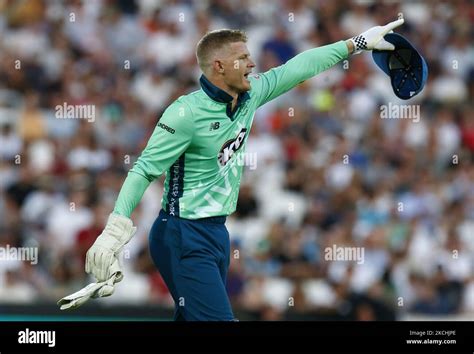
[{"x": 373, "y": 38}]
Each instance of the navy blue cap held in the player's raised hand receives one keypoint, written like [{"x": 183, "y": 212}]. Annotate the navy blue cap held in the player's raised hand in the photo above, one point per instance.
[{"x": 406, "y": 67}]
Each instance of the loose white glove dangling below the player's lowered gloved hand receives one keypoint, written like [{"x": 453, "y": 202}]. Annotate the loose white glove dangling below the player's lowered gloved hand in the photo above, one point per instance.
[{"x": 93, "y": 290}]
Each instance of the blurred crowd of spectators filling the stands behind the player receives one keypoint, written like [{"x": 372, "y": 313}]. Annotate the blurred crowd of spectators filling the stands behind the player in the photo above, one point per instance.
[{"x": 330, "y": 170}]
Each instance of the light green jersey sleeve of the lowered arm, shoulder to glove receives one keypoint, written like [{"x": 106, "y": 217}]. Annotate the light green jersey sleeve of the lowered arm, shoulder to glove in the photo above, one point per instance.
[{"x": 171, "y": 137}]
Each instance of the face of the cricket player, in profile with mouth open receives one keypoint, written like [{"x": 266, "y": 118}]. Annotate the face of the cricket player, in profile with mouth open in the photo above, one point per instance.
[{"x": 237, "y": 65}]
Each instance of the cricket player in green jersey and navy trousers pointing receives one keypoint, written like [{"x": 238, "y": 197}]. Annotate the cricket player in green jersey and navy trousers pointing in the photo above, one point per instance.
[{"x": 197, "y": 143}]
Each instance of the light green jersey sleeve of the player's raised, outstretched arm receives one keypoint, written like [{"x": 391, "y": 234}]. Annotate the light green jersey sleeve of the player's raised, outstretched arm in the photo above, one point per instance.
[{"x": 305, "y": 65}]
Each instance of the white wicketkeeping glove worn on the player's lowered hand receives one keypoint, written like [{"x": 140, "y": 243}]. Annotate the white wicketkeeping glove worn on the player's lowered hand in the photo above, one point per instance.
[{"x": 106, "y": 249}]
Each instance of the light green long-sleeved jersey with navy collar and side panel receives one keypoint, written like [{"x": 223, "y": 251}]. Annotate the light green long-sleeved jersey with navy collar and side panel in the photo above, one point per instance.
[{"x": 199, "y": 141}]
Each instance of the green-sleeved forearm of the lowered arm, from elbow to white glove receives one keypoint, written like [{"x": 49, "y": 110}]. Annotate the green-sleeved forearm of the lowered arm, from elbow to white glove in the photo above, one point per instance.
[{"x": 130, "y": 194}]
